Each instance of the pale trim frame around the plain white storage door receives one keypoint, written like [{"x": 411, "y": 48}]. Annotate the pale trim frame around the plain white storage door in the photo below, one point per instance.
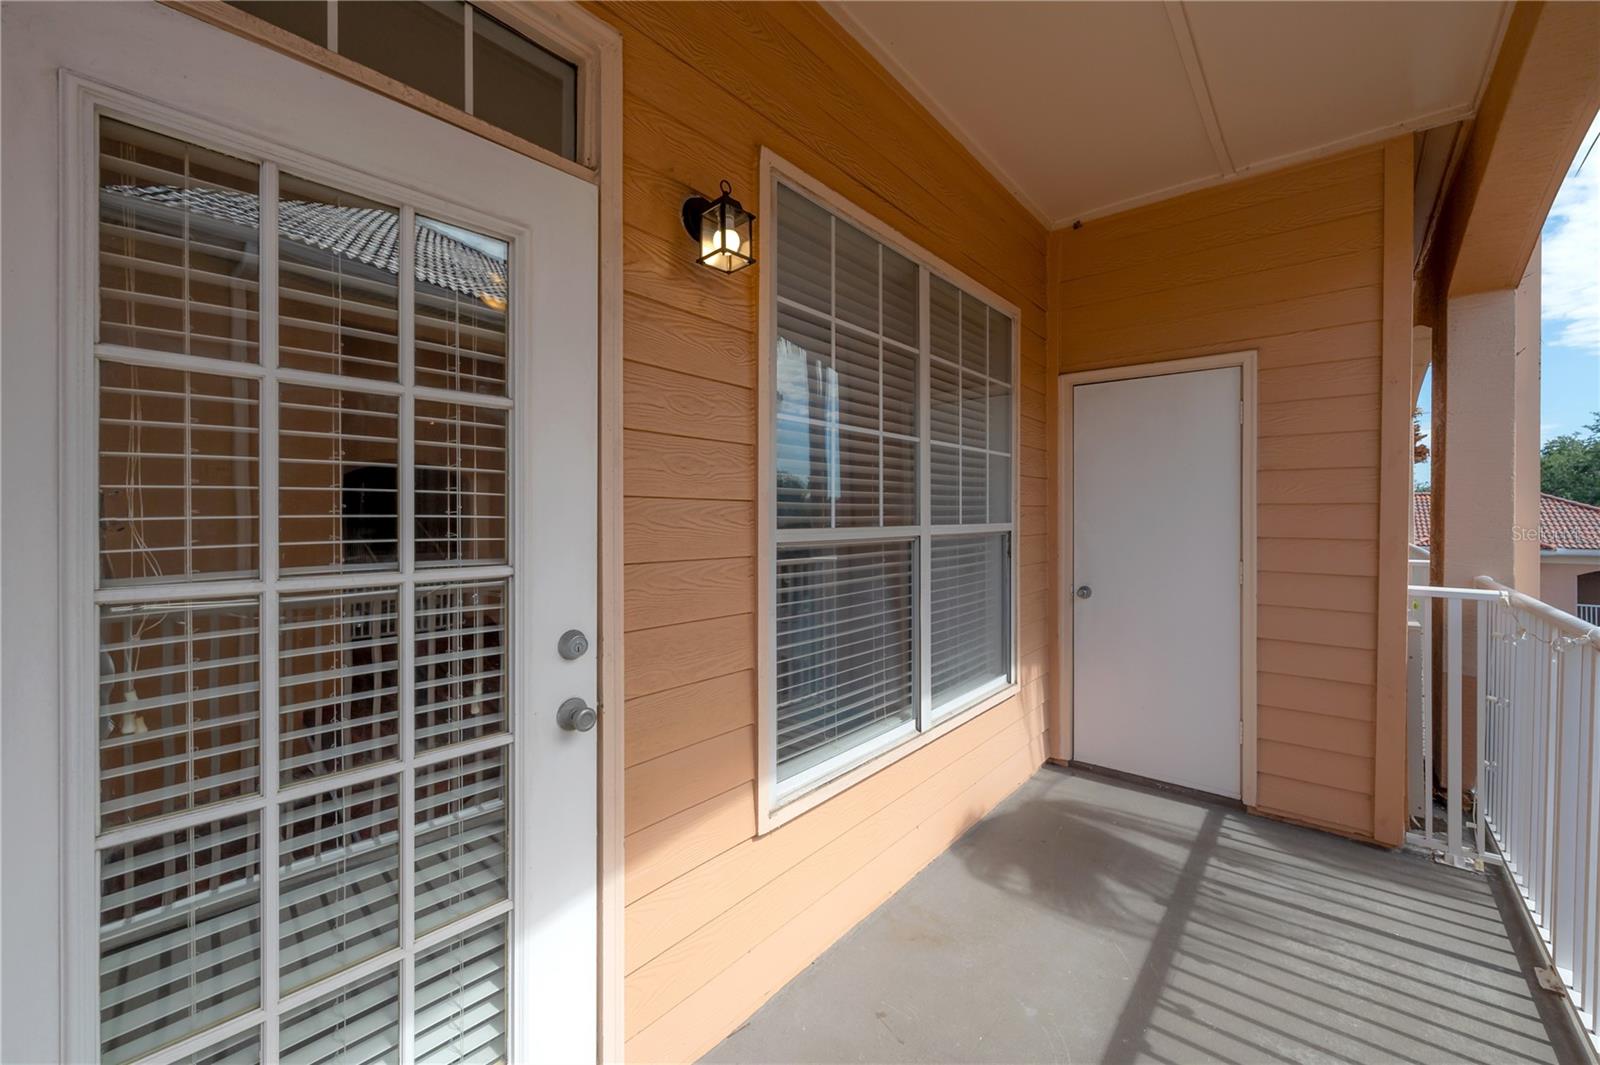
[{"x": 1062, "y": 719}]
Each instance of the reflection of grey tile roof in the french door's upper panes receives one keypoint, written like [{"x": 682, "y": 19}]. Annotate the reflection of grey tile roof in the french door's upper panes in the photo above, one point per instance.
[{"x": 362, "y": 234}]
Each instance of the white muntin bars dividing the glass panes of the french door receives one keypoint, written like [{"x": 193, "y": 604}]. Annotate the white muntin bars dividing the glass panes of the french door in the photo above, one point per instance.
[{"x": 406, "y": 581}]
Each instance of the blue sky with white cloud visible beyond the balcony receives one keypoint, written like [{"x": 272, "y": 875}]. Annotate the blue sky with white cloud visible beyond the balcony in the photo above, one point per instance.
[{"x": 1570, "y": 297}]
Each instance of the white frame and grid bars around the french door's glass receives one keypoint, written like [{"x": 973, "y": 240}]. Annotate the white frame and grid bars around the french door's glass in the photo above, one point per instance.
[{"x": 84, "y": 103}]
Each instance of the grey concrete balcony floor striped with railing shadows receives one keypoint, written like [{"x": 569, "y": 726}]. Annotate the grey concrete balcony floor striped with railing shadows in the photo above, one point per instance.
[{"x": 1092, "y": 920}]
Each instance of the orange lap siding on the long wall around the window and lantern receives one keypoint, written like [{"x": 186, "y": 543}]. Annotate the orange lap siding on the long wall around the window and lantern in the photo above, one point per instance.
[{"x": 719, "y": 919}]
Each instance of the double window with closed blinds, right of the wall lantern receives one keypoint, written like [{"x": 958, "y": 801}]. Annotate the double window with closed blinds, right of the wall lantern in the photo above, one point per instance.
[{"x": 892, "y": 449}]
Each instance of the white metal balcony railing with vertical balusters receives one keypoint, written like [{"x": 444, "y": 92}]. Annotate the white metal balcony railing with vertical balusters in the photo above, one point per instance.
[{"x": 1535, "y": 796}]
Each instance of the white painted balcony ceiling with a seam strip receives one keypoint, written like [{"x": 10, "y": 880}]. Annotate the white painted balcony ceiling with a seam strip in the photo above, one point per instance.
[{"x": 1084, "y": 110}]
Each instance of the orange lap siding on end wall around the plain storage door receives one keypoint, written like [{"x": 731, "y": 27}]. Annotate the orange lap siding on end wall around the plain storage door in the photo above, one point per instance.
[{"x": 1289, "y": 265}]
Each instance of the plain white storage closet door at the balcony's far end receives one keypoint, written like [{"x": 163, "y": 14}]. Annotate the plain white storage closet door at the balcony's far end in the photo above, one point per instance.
[{"x": 1156, "y": 540}]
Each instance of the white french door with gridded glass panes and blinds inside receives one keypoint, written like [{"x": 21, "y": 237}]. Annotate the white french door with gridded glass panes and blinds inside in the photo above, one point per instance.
[{"x": 330, "y": 501}]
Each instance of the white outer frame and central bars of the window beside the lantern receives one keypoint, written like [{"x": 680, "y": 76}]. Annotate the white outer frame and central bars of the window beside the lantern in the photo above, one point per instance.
[{"x": 778, "y": 805}]
